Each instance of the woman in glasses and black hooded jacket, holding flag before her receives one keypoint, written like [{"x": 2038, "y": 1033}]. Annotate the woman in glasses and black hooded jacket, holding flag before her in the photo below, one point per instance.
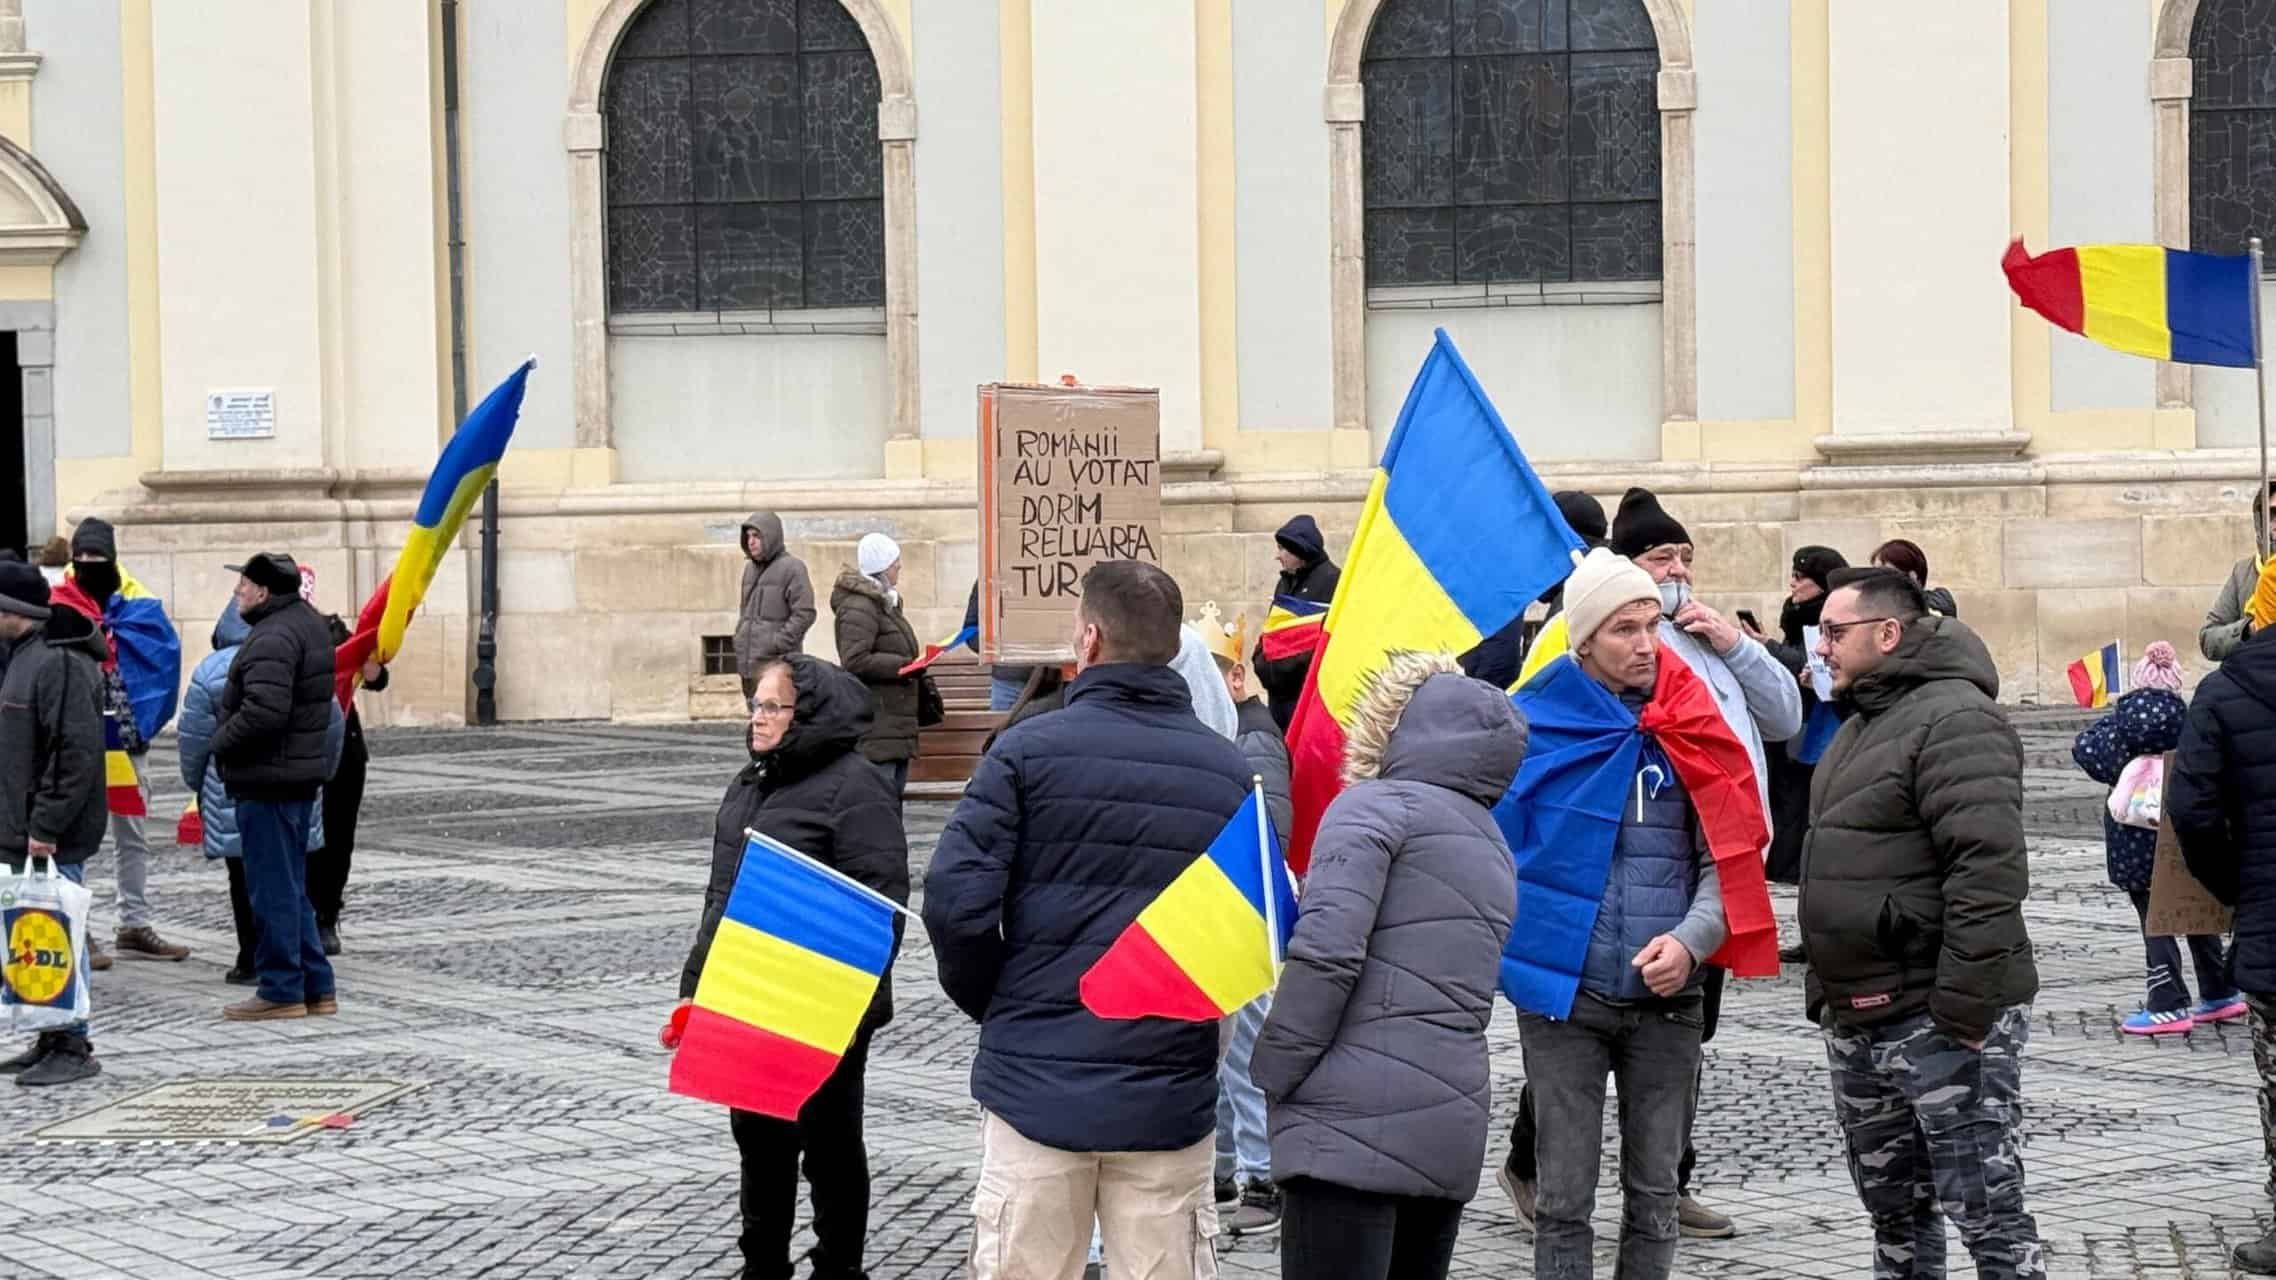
[{"x": 811, "y": 789}]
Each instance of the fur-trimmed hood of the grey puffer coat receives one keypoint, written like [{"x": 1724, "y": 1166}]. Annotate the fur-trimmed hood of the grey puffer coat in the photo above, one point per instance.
[{"x": 1424, "y": 721}]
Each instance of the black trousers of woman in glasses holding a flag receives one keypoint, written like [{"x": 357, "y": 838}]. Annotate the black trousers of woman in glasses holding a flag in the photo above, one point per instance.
[{"x": 827, "y": 1140}]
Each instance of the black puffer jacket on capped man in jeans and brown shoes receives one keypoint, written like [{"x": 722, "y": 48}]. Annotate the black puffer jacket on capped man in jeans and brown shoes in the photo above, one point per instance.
[{"x": 277, "y": 707}]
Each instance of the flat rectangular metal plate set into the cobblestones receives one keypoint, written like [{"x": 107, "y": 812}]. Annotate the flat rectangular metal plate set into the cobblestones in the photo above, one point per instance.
[{"x": 229, "y": 1110}]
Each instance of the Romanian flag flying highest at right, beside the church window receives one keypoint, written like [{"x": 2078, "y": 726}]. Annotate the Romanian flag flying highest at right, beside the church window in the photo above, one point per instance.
[{"x": 2145, "y": 300}]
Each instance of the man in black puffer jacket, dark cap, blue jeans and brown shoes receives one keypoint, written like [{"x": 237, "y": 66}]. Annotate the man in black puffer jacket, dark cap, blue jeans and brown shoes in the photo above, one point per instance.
[{"x": 270, "y": 746}]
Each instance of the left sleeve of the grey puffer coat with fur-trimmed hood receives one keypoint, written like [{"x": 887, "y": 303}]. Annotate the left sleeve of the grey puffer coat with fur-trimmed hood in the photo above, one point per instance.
[{"x": 1351, "y": 862}]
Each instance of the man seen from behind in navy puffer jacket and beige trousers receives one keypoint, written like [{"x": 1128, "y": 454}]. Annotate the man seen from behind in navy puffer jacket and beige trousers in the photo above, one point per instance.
[{"x": 1073, "y": 826}]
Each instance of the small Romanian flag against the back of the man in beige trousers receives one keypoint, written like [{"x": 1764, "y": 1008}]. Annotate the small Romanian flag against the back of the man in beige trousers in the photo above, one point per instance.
[{"x": 1212, "y": 942}]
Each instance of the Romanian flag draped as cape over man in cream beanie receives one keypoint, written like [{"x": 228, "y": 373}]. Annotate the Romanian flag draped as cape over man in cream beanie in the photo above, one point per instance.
[{"x": 1562, "y": 817}]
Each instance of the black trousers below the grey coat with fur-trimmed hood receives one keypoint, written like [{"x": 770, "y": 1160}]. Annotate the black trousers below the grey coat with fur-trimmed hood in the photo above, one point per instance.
[{"x": 1335, "y": 1233}]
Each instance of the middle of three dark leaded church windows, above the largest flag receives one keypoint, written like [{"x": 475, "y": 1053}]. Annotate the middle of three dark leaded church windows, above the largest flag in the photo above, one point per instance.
[{"x": 1510, "y": 142}]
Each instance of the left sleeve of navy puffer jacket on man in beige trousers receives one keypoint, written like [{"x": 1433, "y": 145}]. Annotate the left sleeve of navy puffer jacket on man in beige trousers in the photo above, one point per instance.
[{"x": 964, "y": 889}]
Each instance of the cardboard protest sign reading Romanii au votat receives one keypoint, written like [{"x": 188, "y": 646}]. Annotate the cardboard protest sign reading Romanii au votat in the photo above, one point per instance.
[{"x": 1069, "y": 477}]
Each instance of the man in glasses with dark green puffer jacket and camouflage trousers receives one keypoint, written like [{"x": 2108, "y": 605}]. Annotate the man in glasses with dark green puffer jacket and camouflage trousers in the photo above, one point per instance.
[{"x": 1913, "y": 912}]
